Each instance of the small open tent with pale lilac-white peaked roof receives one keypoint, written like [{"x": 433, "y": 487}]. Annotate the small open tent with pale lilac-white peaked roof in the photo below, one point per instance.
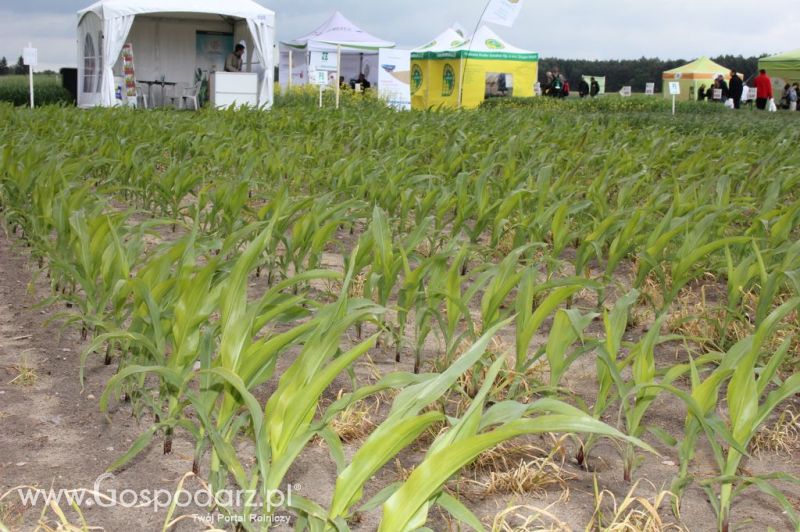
[{"x": 359, "y": 51}]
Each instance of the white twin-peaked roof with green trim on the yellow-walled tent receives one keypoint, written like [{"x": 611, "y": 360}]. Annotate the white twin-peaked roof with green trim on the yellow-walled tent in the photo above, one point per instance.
[{"x": 485, "y": 44}]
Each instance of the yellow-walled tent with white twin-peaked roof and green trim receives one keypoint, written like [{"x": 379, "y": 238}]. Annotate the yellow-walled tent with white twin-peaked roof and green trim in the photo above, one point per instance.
[{"x": 490, "y": 67}]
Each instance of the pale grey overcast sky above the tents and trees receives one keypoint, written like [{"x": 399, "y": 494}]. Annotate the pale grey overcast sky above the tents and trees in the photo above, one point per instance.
[{"x": 590, "y": 29}]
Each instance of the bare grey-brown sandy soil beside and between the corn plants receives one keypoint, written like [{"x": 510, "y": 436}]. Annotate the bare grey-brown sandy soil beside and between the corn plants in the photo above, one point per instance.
[{"x": 52, "y": 433}]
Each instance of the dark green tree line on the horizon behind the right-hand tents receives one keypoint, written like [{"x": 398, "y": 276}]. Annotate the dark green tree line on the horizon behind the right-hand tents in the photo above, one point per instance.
[{"x": 635, "y": 73}]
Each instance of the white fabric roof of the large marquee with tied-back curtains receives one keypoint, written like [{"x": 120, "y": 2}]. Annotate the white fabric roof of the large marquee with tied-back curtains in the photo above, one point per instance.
[{"x": 246, "y": 9}]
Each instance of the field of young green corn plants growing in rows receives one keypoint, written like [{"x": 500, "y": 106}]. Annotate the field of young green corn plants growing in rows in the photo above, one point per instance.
[{"x": 238, "y": 267}]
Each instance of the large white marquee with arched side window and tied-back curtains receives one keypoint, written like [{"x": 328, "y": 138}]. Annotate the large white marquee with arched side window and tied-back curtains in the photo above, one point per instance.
[{"x": 163, "y": 34}]
